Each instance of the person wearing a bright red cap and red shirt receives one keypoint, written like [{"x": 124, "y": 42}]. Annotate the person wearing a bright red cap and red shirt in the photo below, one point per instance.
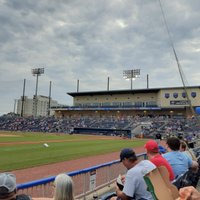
[{"x": 156, "y": 158}]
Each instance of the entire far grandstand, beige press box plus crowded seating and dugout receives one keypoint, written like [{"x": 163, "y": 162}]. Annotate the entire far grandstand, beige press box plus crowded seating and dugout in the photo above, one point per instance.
[{"x": 126, "y": 113}]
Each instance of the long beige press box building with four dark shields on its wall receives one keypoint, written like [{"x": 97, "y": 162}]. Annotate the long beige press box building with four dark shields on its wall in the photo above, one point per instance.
[{"x": 171, "y": 101}]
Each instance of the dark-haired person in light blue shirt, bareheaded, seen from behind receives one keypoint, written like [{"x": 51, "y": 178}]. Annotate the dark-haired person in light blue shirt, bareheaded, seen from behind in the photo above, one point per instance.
[{"x": 179, "y": 161}]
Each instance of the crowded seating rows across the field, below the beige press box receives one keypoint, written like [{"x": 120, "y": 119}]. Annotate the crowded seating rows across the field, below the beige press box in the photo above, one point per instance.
[{"x": 149, "y": 125}]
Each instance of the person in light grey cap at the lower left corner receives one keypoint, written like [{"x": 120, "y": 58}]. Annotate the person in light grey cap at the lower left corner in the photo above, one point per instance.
[{"x": 8, "y": 188}]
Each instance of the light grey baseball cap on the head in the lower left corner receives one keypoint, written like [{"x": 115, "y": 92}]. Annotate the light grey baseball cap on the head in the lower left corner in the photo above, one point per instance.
[{"x": 7, "y": 183}]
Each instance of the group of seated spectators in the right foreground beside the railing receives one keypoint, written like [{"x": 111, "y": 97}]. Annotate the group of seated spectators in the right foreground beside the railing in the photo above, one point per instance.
[{"x": 172, "y": 165}]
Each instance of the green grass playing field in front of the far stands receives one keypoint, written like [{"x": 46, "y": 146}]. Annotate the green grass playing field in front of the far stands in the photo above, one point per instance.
[{"x": 24, "y": 150}]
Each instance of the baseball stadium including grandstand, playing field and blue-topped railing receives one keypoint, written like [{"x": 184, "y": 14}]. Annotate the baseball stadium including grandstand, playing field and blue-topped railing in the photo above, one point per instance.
[{"x": 85, "y": 140}]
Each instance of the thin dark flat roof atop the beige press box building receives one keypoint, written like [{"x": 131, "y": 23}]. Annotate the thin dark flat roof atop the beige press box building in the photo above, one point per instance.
[{"x": 133, "y": 91}]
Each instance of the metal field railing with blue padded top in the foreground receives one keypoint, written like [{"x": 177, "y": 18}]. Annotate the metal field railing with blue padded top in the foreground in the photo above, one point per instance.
[{"x": 86, "y": 181}]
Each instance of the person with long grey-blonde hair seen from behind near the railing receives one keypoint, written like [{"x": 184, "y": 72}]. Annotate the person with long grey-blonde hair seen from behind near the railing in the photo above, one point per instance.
[{"x": 63, "y": 188}]
